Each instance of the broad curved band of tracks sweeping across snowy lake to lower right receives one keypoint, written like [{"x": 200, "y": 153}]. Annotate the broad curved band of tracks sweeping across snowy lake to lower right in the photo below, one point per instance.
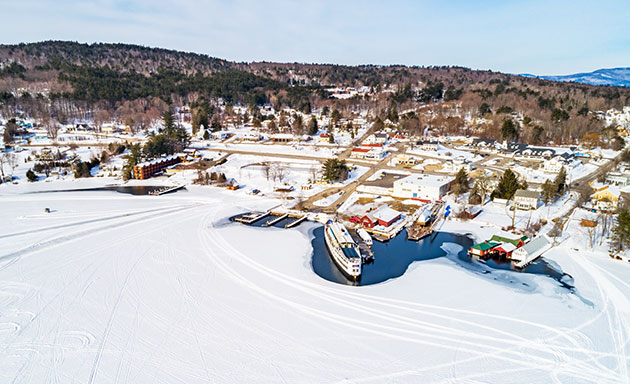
[{"x": 573, "y": 359}]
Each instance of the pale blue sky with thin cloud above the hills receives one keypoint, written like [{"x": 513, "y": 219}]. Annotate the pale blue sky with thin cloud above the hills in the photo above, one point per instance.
[{"x": 541, "y": 37}]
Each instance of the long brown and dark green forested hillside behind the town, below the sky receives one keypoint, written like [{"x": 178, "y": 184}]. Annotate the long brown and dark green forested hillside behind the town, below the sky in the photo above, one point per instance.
[{"x": 67, "y": 80}]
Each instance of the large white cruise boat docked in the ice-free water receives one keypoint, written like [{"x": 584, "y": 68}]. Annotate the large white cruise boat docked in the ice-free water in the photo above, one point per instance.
[{"x": 343, "y": 249}]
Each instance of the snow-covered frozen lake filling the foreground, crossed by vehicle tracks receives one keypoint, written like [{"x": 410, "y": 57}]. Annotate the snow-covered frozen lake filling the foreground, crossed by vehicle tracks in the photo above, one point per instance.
[{"x": 140, "y": 289}]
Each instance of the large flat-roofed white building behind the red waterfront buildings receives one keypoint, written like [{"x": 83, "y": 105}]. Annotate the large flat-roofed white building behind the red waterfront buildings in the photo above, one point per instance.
[{"x": 422, "y": 187}]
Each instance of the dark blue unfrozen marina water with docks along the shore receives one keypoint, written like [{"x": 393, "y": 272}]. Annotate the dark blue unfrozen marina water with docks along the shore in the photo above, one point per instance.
[{"x": 384, "y": 260}]
